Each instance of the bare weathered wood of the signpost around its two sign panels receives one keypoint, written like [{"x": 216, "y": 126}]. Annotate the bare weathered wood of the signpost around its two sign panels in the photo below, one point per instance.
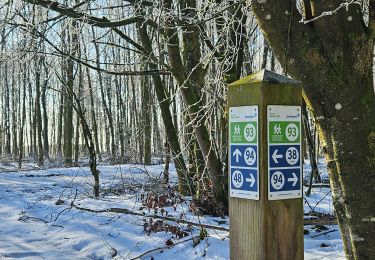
[{"x": 264, "y": 229}]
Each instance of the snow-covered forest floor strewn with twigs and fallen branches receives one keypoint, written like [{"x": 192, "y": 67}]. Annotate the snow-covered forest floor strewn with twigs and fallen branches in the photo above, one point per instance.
[{"x": 51, "y": 214}]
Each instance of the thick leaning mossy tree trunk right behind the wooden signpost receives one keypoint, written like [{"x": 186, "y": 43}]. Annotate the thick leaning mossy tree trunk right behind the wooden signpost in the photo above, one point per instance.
[{"x": 335, "y": 67}]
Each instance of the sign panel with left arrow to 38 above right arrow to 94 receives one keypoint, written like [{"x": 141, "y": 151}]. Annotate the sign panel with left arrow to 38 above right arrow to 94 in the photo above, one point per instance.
[{"x": 284, "y": 152}]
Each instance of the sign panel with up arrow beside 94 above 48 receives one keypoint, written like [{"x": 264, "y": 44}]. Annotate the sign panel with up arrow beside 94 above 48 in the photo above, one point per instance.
[{"x": 243, "y": 152}]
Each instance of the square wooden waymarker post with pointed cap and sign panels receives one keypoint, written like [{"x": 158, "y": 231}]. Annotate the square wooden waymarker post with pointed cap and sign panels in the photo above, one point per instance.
[{"x": 265, "y": 168}]
